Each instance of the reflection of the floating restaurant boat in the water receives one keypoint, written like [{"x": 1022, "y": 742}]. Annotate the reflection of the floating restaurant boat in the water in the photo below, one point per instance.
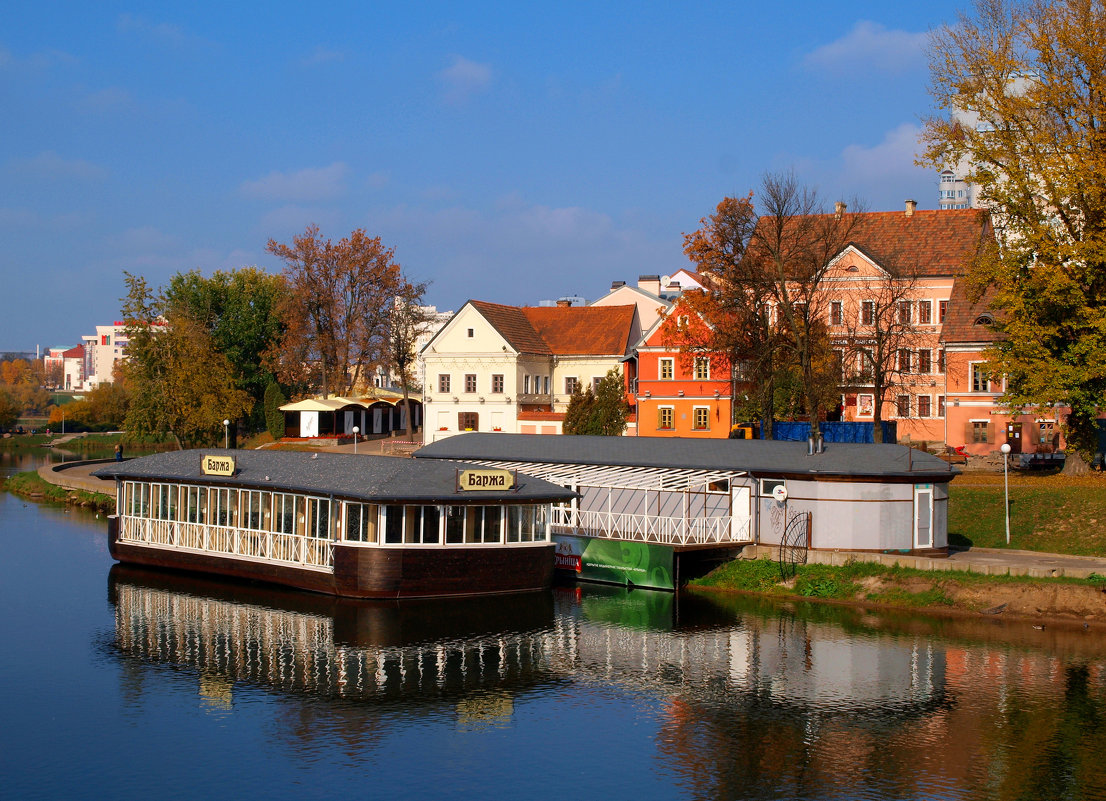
[{"x": 330, "y": 648}]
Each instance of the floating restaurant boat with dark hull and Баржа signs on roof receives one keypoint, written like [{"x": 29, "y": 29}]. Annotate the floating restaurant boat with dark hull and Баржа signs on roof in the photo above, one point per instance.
[{"x": 342, "y": 525}]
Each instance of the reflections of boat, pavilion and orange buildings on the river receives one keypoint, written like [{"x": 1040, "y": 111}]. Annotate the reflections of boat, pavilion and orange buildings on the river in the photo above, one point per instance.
[{"x": 749, "y": 700}]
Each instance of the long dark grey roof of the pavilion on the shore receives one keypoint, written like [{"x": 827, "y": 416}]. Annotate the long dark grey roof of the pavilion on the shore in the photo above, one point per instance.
[{"x": 758, "y": 457}]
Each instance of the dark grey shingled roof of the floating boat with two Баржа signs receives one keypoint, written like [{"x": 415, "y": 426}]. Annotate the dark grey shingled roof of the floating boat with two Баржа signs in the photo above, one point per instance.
[{"x": 373, "y": 478}]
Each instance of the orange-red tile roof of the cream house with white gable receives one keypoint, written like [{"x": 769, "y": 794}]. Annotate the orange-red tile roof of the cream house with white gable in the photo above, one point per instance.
[{"x": 564, "y": 331}]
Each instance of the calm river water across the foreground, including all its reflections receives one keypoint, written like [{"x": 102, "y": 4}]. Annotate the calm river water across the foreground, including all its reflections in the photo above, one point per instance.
[{"x": 127, "y": 684}]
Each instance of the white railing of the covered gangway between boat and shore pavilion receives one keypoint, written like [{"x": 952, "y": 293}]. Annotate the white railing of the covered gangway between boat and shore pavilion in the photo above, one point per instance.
[{"x": 650, "y": 528}]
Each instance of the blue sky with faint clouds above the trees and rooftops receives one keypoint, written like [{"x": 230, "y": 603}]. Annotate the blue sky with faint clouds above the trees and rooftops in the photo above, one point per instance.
[{"x": 508, "y": 152}]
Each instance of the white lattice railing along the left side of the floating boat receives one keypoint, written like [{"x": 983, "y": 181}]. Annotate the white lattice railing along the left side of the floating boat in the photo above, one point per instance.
[{"x": 269, "y": 546}]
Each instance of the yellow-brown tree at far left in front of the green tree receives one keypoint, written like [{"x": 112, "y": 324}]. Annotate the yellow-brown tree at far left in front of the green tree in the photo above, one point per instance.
[{"x": 180, "y": 382}]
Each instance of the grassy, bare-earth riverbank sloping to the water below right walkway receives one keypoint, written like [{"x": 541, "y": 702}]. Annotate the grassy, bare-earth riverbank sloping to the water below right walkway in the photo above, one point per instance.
[{"x": 870, "y": 585}]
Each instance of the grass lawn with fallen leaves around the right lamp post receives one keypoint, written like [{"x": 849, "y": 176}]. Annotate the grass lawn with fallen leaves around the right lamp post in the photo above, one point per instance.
[{"x": 1048, "y": 513}]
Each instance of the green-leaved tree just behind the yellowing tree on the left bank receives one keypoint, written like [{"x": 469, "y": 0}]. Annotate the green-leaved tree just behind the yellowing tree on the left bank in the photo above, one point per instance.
[{"x": 241, "y": 313}]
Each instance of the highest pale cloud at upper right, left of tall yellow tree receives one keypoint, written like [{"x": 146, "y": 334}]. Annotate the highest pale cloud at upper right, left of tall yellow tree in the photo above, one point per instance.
[{"x": 871, "y": 45}]
